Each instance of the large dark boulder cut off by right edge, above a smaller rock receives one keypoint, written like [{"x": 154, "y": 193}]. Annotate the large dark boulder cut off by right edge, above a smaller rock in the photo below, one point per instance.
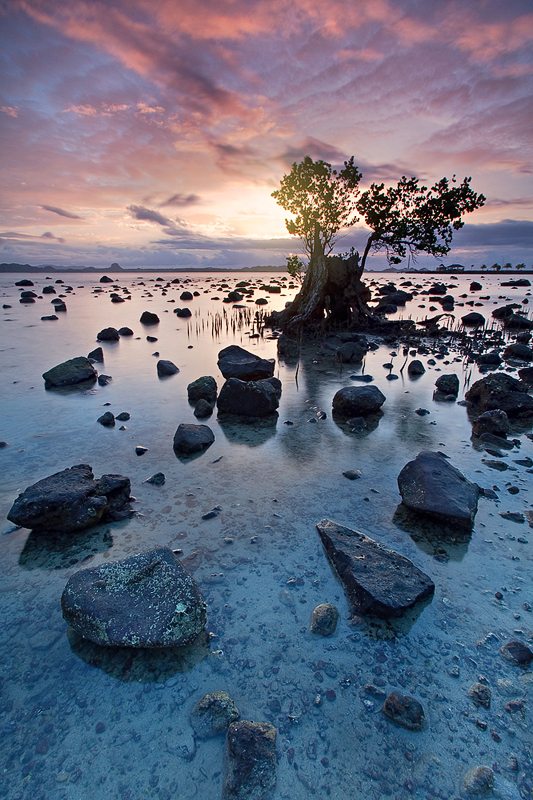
[{"x": 499, "y": 390}]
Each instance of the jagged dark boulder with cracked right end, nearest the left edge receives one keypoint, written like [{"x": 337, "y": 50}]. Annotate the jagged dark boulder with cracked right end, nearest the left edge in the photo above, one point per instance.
[{"x": 71, "y": 500}]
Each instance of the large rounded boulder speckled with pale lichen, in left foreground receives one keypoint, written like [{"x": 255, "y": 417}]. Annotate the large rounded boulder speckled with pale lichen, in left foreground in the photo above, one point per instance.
[{"x": 148, "y": 600}]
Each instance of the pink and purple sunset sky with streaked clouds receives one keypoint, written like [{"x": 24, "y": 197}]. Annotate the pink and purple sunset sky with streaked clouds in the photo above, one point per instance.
[{"x": 151, "y": 133}]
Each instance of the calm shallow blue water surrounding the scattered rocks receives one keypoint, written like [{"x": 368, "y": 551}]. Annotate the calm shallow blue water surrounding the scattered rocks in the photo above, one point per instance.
[{"x": 274, "y": 483}]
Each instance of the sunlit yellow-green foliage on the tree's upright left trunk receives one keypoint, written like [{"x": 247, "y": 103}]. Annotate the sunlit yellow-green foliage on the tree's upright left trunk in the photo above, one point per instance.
[{"x": 321, "y": 199}]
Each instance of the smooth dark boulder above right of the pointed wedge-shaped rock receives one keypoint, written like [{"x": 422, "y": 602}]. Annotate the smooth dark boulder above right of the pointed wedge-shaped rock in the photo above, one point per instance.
[{"x": 430, "y": 485}]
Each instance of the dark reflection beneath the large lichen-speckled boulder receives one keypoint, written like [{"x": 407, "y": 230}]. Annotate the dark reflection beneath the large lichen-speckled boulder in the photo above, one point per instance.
[{"x": 140, "y": 665}]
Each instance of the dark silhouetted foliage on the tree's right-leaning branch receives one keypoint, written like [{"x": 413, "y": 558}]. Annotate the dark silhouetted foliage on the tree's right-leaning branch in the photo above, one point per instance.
[{"x": 409, "y": 218}]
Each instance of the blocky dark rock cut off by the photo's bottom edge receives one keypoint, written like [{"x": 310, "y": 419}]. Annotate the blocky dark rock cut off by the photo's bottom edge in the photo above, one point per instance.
[{"x": 250, "y": 761}]
